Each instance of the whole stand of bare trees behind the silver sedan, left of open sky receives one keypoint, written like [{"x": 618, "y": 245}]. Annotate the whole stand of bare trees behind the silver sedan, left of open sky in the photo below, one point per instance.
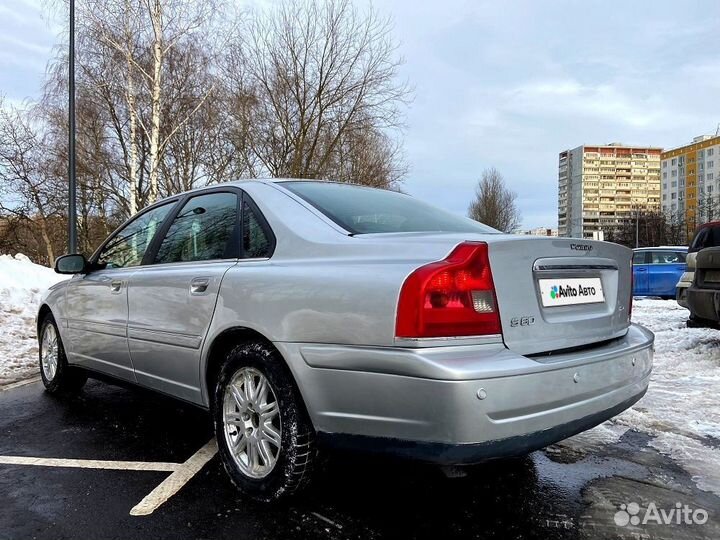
[{"x": 172, "y": 96}]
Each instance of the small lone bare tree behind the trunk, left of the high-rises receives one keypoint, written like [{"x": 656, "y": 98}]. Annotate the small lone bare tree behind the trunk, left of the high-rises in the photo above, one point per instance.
[{"x": 494, "y": 203}]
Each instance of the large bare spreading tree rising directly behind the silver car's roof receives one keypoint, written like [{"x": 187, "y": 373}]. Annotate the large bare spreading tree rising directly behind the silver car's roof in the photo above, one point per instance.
[{"x": 316, "y": 77}]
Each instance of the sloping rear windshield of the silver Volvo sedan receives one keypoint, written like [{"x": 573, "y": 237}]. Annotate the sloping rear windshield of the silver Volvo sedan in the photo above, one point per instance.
[{"x": 363, "y": 210}]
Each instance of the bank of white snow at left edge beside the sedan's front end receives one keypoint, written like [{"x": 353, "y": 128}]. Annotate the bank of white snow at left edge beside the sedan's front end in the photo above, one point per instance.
[{"x": 21, "y": 286}]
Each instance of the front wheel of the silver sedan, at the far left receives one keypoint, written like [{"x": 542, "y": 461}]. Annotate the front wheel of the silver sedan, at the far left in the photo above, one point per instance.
[{"x": 57, "y": 375}]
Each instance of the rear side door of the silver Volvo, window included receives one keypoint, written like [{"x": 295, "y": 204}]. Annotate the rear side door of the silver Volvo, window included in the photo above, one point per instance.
[{"x": 172, "y": 300}]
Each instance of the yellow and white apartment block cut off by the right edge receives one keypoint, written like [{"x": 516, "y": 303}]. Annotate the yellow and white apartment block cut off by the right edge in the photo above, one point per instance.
[{"x": 691, "y": 182}]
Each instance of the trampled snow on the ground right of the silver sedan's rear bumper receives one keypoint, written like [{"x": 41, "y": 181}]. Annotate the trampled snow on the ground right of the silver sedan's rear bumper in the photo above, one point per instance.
[{"x": 682, "y": 407}]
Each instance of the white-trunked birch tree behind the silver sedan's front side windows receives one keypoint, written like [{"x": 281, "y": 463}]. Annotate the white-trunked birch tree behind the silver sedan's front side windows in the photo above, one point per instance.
[{"x": 146, "y": 34}]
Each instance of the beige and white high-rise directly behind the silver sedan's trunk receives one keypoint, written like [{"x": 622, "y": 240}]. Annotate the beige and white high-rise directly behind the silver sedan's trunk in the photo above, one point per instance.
[{"x": 602, "y": 187}]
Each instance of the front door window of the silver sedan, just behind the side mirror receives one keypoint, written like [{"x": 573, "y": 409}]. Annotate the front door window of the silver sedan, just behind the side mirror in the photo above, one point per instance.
[{"x": 127, "y": 248}]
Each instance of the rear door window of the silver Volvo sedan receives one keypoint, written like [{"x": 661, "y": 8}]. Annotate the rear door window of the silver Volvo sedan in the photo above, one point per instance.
[{"x": 204, "y": 230}]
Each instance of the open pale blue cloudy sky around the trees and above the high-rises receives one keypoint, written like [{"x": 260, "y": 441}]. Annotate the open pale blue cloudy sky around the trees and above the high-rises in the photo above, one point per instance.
[{"x": 506, "y": 84}]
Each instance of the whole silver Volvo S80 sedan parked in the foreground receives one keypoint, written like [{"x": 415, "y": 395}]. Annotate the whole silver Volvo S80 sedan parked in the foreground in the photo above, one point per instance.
[{"x": 303, "y": 313}]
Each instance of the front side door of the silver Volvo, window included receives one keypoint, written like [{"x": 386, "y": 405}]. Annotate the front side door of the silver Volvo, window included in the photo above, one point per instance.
[{"x": 97, "y": 302}]
